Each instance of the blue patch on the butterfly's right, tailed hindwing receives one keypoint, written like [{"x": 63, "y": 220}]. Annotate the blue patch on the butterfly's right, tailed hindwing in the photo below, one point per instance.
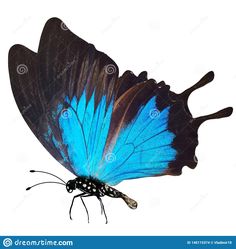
[{"x": 142, "y": 149}]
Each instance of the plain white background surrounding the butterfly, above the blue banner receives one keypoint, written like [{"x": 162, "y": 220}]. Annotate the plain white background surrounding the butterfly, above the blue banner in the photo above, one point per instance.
[{"x": 175, "y": 41}]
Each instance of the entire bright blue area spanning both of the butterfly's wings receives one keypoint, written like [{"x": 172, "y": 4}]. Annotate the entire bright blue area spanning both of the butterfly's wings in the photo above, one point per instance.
[{"x": 141, "y": 149}]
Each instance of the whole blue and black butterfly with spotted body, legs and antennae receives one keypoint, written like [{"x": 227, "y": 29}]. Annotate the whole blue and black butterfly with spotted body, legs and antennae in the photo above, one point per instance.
[{"x": 102, "y": 127}]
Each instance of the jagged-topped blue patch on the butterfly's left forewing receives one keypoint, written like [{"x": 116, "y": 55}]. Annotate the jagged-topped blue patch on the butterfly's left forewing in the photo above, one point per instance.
[{"x": 84, "y": 131}]
